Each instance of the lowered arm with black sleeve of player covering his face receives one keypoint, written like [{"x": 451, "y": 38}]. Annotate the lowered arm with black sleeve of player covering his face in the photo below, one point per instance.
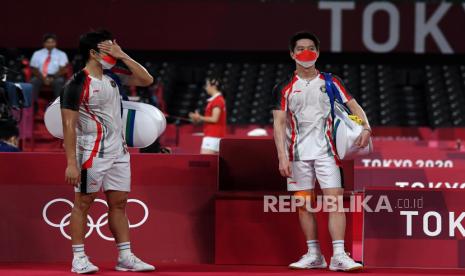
[{"x": 70, "y": 100}]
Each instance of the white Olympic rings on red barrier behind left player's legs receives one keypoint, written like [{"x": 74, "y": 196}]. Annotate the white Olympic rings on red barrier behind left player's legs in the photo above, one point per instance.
[{"x": 93, "y": 225}]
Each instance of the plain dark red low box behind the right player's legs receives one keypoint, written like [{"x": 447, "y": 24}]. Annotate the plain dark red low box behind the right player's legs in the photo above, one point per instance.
[{"x": 247, "y": 234}]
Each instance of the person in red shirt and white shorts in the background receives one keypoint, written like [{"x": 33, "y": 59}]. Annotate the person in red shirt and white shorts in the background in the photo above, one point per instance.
[{"x": 214, "y": 119}]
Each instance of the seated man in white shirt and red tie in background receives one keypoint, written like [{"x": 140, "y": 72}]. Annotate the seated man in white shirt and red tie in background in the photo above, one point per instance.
[{"x": 48, "y": 67}]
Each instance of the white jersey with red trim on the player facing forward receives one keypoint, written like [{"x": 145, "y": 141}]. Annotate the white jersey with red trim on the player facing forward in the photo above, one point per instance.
[{"x": 309, "y": 122}]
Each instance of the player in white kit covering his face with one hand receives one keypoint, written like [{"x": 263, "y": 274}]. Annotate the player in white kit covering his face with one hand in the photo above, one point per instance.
[{"x": 97, "y": 157}]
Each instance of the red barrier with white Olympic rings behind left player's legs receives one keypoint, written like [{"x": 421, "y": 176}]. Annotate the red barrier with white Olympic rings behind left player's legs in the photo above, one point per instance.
[{"x": 171, "y": 214}]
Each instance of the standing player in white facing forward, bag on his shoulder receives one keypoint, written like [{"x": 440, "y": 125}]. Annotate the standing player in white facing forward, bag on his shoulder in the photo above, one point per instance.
[{"x": 306, "y": 150}]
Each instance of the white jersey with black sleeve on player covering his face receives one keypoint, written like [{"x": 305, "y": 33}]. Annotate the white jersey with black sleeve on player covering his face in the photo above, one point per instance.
[{"x": 99, "y": 129}]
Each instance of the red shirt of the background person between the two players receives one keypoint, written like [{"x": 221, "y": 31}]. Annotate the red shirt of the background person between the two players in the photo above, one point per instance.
[{"x": 217, "y": 129}]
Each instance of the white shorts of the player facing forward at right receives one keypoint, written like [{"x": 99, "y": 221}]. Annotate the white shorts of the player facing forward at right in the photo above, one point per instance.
[{"x": 304, "y": 174}]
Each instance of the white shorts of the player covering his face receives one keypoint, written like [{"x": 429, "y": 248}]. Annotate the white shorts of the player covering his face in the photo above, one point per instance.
[{"x": 107, "y": 173}]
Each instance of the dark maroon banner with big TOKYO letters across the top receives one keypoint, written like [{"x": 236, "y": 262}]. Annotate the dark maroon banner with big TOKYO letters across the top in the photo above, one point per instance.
[{"x": 343, "y": 26}]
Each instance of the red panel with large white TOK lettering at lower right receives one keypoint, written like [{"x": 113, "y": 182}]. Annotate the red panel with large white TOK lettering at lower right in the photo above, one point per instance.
[{"x": 414, "y": 228}]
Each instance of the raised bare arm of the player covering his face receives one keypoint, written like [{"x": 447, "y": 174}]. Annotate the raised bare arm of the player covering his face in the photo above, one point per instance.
[{"x": 139, "y": 75}]
